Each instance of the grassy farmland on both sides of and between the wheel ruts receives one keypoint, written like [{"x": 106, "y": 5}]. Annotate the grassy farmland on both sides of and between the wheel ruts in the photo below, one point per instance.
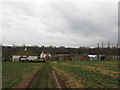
[{"x": 73, "y": 74}]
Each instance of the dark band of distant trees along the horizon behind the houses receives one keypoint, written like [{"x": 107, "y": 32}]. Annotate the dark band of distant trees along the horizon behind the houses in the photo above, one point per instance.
[{"x": 8, "y": 51}]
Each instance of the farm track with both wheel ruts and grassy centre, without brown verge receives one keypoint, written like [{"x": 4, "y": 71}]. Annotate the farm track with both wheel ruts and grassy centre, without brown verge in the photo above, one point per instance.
[{"x": 47, "y": 78}]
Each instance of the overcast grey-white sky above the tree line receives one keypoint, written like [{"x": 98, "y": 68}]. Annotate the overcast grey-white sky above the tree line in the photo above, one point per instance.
[{"x": 71, "y": 23}]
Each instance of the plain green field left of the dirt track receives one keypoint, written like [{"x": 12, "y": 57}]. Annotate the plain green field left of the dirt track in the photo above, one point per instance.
[{"x": 14, "y": 72}]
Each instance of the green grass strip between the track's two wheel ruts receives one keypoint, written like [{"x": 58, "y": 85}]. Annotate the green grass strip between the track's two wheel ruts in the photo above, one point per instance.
[{"x": 45, "y": 79}]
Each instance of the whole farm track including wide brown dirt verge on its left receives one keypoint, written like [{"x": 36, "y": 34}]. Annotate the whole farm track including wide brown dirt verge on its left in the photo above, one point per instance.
[{"x": 42, "y": 77}]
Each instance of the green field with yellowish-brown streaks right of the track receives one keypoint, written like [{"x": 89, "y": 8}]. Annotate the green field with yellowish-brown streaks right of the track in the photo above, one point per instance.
[{"x": 90, "y": 74}]
